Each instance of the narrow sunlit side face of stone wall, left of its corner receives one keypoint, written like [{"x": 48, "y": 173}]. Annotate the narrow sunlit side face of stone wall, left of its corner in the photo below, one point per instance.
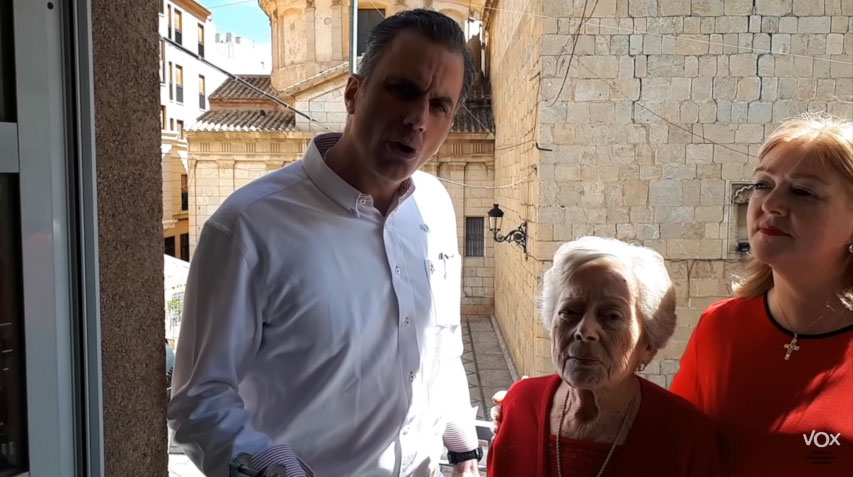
[{"x": 514, "y": 47}]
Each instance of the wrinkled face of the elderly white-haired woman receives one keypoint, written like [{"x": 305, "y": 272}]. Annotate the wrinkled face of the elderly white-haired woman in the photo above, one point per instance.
[{"x": 595, "y": 331}]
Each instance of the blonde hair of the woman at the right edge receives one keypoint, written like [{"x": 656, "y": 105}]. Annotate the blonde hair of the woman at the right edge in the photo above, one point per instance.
[{"x": 830, "y": 141}]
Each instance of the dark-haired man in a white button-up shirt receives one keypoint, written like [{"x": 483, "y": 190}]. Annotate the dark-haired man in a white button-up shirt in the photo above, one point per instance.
[{"x": 321, "y": 324}]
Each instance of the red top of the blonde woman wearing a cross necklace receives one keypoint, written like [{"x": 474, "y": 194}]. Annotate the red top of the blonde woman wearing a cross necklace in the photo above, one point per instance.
[{"x": 767, "y": 408}]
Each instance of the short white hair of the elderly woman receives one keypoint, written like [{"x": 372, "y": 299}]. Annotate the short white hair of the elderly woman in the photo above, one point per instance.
[{"x": 655, "y": 292}]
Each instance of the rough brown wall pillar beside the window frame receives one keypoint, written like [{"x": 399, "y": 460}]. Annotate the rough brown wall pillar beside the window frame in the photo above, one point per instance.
[{"x": 130, "y": 235}]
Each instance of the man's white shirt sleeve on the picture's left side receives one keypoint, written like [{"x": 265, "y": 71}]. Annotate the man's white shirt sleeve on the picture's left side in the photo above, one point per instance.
[{"x": 220, "y": 335}]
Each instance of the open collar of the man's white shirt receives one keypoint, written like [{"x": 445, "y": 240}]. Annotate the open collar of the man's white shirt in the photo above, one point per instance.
[{"x": 337, "y": 189}]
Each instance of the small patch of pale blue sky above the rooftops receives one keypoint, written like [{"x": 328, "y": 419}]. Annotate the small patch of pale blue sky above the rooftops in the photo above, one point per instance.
[{"x": 242, "y": 17}]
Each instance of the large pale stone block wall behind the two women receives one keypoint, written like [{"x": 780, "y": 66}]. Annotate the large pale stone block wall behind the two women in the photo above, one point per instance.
[{"x": 657, "y": 122}]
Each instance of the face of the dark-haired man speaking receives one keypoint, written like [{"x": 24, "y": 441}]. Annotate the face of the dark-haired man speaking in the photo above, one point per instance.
[{"x": 401, "y": 115}]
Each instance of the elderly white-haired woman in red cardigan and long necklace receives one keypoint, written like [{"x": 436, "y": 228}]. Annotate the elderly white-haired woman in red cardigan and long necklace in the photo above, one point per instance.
[{"x": 609, "y": 307}]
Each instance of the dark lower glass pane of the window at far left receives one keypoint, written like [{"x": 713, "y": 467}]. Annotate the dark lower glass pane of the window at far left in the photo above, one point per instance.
[{"x": 13, "y": 431}]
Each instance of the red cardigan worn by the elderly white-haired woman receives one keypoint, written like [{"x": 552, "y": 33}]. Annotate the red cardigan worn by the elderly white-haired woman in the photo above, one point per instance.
[{"x": 668, "y": 438}]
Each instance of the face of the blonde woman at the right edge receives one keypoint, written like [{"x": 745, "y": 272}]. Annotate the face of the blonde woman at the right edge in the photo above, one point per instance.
[{"x": 800, "y": 213}]
